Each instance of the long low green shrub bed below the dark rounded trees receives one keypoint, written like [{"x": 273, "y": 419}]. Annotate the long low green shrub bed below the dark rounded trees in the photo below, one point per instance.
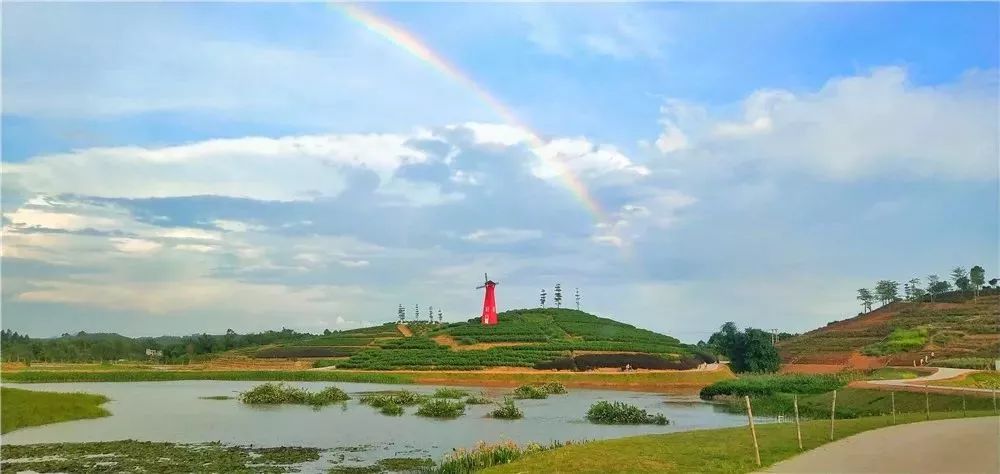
[{"x": 761, "y": 385}]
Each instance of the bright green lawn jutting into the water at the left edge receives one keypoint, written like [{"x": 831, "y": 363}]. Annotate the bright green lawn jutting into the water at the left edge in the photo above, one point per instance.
[{"x": 22, "y": 408}]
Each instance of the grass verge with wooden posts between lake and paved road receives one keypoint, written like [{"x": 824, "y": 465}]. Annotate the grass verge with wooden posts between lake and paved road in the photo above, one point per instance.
[{"x": 728, "y": 450}]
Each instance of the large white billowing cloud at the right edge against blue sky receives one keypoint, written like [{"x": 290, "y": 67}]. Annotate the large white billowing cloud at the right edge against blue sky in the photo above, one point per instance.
[{"x": 854, "y": 127}]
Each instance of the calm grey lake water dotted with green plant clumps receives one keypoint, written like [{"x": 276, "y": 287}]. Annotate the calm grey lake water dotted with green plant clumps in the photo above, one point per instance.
[{"x": 172, "y": 411}]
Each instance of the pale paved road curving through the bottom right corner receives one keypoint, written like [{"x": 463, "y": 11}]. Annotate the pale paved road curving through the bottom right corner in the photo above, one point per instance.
[{"x": 963, "y": 445}]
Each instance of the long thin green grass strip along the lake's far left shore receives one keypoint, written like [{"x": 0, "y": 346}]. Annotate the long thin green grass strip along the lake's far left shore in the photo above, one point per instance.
[{"x": 29, "y": 376}]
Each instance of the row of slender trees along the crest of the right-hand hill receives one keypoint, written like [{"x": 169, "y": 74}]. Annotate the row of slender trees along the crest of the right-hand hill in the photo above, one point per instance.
[{"x": 972, "y": 282}]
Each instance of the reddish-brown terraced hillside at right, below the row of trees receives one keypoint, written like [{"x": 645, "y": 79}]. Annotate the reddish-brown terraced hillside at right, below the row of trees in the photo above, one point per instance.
[{"x": 899, "y": 333}]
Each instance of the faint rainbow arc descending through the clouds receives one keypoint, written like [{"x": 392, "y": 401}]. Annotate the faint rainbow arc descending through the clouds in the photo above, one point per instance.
[{"x": 412, "y": 45}]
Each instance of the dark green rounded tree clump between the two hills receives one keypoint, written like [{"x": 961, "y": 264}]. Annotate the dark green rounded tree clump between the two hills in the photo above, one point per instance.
[{"x": 748, "y": 351}]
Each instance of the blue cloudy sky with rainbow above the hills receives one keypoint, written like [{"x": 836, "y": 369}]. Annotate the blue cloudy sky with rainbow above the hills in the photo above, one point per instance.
[{"x": 188, "y": 168}]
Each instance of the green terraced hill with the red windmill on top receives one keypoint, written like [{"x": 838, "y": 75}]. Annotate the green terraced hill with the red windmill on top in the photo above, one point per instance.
[{"x": 541, "y": 338}]
